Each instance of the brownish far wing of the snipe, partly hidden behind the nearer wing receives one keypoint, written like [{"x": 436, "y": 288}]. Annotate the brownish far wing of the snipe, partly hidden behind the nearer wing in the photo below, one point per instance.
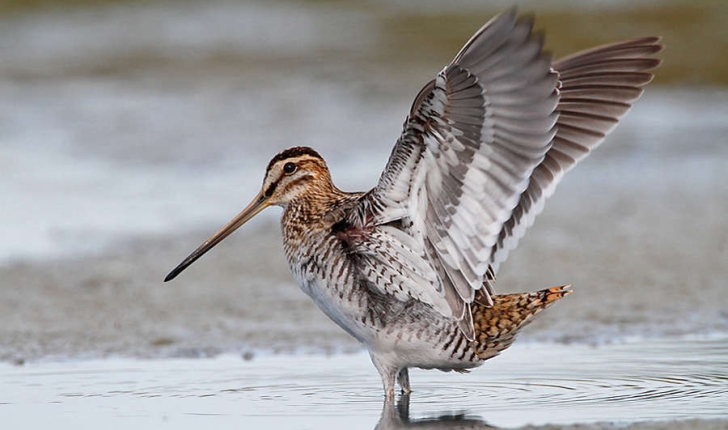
[{"x": 598, "y": 87}]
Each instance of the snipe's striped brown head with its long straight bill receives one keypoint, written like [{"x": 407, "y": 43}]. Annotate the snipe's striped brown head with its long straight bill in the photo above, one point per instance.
[{"x": 296, "y": 173}]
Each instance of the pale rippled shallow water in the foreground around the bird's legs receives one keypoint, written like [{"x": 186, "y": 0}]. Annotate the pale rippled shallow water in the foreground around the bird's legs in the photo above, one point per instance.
[{"x": 640, "y": 380}]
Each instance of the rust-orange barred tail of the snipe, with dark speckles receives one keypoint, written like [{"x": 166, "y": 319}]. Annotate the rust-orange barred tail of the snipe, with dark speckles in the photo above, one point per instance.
[{"x": 496, "y": 327}]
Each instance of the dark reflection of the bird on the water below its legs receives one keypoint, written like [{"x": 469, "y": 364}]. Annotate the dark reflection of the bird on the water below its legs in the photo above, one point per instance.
[{"x": 397, "y": 416}]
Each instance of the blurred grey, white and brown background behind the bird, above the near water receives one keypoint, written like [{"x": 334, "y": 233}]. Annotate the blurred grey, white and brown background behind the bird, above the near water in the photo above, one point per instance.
[{"x": 131, "y": 130}]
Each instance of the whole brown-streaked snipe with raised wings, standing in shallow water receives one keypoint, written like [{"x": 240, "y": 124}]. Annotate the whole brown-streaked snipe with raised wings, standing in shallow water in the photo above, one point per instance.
[{"x": 408, "y": 267}]
